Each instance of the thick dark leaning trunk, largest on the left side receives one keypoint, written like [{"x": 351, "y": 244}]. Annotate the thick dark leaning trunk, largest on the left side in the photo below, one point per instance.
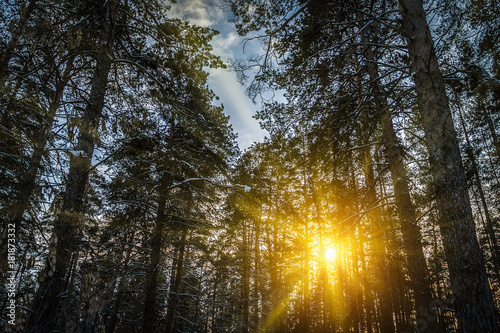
[{"x": 47, "y": 307}]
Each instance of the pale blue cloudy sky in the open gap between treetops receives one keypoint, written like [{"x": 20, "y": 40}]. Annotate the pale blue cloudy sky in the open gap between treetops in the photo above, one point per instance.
[{"x": 228, "y": 45}]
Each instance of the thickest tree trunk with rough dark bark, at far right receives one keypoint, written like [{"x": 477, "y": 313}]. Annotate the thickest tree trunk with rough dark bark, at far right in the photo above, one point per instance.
[{"x": 474, "y": 305}]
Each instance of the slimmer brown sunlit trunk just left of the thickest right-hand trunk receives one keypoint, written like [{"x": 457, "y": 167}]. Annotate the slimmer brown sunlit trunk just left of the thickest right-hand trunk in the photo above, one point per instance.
[{"x": 417, "y": 267}]
